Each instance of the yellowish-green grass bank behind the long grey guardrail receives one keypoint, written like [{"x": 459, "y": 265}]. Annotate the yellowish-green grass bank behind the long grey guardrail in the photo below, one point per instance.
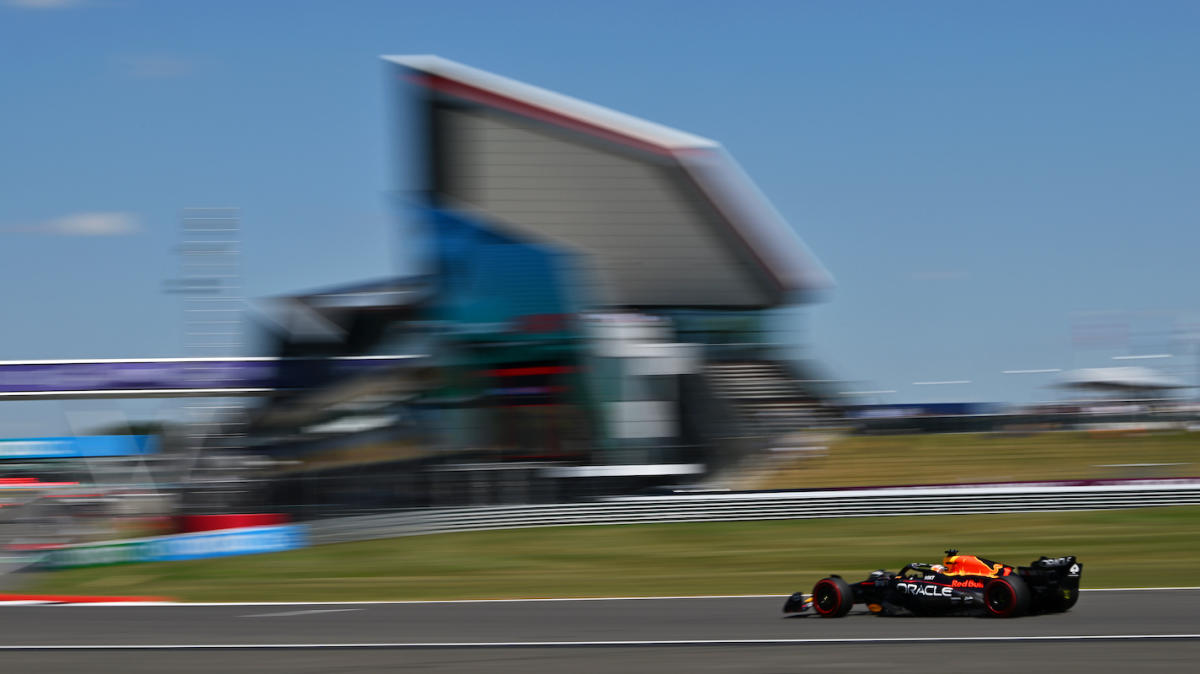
[{"x": 989, "y": 458}]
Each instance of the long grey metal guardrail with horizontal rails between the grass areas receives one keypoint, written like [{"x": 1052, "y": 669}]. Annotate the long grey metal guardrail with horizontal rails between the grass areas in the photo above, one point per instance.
[{"x": 749, "y": 507}]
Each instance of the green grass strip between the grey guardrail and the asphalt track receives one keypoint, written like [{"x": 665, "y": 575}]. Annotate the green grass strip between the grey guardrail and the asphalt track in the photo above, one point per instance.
[{"x": 1119, "y": 549}]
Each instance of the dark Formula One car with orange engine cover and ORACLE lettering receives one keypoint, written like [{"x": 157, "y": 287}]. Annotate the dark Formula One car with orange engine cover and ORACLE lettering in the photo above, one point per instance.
[{"x": 962, "y": 585}]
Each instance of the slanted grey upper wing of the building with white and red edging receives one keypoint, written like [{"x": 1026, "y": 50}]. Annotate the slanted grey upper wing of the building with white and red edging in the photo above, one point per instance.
[{"x": 664, "y": 219}]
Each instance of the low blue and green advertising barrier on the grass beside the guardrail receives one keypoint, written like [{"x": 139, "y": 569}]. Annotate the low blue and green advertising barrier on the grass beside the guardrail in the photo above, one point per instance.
[{"x": 225, "y": 543}]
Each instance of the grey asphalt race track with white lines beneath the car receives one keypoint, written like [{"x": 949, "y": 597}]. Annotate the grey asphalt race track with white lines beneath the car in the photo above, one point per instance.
[{"x": 1108, "y": 631}]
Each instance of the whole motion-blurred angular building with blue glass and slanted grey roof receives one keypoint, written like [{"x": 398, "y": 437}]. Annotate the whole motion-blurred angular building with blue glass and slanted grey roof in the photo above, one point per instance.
[{"x": 598, "y": 292}]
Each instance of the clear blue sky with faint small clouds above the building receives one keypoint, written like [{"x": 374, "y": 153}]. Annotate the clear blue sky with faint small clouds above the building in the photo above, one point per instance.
[{"x": 981, "y": 178}]
